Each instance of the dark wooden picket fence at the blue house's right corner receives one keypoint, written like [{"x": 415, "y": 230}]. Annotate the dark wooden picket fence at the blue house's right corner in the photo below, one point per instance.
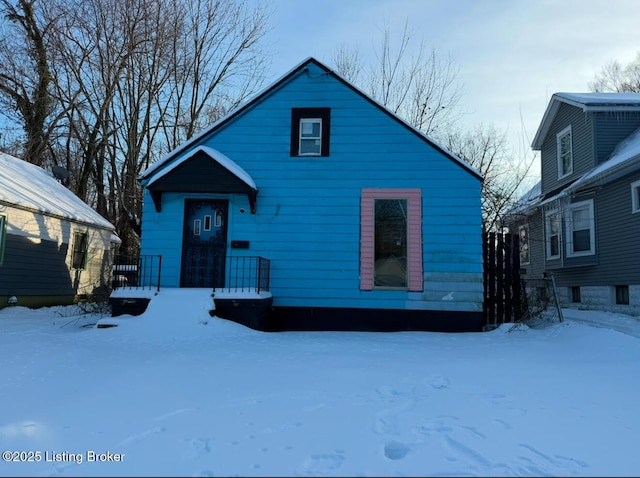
[{"x": 502, "y": 285}]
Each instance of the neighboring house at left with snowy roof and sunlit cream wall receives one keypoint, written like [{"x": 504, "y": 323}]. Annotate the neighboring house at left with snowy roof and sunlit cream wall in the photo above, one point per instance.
[{"x": 54, "y": 248}]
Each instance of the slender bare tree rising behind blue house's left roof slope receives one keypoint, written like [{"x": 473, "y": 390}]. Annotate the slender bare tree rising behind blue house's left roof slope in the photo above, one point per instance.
[{"x": 218, "y": 64}]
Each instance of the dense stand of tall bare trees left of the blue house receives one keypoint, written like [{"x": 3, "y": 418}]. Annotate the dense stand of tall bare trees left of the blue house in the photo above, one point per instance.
[{"x": 108, "y": 86}]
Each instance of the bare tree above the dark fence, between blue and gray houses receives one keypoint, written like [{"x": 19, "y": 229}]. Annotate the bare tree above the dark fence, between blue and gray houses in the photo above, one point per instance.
[{"x": 485, "y": 148}]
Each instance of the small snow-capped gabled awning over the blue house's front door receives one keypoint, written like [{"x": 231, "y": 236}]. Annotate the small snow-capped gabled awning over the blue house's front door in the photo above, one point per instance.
[{"x": 202, "y": 170}]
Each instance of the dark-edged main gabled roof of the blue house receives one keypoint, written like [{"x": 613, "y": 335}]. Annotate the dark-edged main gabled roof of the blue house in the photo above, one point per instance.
[{"x": 300, "y": 68}]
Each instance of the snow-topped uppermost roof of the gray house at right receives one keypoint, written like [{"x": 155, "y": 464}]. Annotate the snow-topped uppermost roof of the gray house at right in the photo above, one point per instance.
[{"x": 588, "y": 102}]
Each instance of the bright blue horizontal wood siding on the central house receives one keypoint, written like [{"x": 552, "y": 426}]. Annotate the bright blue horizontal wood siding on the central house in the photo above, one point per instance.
[{"x": 308, "y": 209}]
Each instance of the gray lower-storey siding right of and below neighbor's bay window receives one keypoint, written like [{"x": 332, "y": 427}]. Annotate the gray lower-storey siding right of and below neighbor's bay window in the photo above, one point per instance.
[{"x": 617, "y": 233}]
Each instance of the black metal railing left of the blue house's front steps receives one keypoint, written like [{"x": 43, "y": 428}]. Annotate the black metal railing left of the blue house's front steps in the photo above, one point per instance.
[{"x": 136, "y": 272}]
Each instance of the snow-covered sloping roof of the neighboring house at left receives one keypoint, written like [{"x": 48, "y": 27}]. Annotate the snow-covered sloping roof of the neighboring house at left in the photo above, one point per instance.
[{"x": 28, "y": 186}]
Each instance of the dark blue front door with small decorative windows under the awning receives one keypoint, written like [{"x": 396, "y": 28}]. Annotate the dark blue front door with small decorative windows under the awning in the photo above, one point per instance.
[{"x": 204, "y": 243}]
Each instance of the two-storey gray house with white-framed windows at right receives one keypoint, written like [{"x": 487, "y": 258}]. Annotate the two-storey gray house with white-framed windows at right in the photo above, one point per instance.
[{"x": 582, "y": 221}]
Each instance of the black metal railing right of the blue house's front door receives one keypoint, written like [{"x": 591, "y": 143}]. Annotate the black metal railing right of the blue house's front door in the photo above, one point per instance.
[{"x": 247, "y": 274}]
